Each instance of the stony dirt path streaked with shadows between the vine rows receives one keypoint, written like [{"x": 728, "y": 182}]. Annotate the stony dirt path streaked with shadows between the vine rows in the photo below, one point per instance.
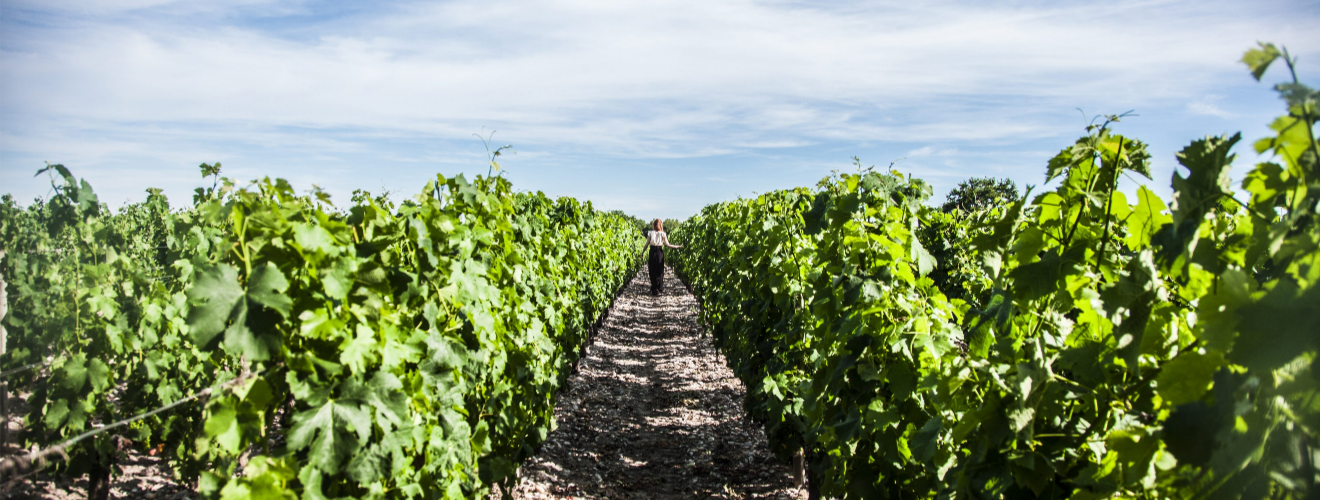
[{"x": 654, "y": 414}]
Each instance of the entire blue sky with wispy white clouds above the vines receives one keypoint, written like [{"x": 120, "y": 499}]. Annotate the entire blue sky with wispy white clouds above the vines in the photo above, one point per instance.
[{"x": 651, "y": 108}]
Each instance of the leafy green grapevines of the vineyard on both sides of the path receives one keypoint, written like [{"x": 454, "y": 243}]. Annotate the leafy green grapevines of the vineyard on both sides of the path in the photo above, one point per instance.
[{"x": 1074, "y": 344}]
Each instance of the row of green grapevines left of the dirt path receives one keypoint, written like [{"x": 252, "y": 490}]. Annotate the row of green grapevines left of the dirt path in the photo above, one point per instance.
[{"x": 378, "y": 352}]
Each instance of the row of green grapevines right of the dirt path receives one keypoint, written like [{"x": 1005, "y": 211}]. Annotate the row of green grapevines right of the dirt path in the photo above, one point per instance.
[{"x": 1082, "y": 345}]
